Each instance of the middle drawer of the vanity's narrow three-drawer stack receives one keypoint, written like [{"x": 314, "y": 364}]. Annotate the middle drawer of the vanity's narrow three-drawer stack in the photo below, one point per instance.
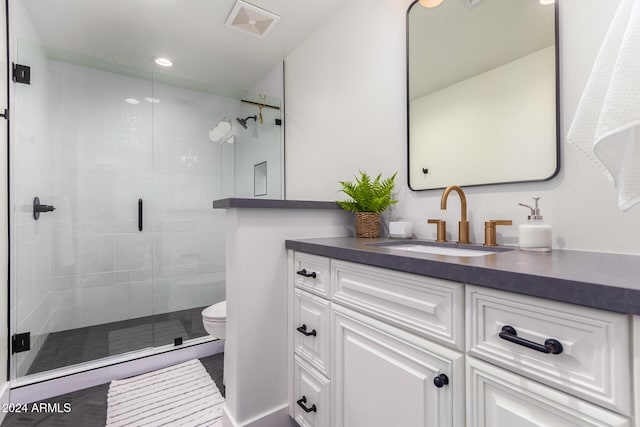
[{"x": 312, "y": 335}]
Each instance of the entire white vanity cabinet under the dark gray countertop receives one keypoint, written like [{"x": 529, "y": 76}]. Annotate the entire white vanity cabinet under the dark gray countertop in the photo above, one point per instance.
[{"x": 399, "y": 349}]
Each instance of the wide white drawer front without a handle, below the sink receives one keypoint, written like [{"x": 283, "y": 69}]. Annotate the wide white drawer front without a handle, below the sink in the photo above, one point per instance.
[{"x": 426, "y": 306}]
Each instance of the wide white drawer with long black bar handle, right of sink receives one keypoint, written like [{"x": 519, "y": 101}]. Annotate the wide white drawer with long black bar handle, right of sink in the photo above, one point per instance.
[{"x": 594, "y": 362}]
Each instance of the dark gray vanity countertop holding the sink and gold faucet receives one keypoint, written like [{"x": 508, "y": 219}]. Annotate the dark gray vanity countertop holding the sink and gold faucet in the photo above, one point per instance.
[{"x": 600, "y": 280}]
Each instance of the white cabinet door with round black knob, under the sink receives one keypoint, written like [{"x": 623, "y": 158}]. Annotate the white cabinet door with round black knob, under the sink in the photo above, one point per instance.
[{"x": 384, "y": 376}]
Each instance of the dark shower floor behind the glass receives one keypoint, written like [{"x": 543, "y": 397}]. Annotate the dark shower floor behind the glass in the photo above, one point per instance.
[{"x": 74, "y": 346}]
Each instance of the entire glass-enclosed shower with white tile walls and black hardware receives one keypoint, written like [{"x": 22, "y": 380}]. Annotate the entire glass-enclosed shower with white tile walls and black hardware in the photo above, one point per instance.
[{"x": 122, "y": 250}]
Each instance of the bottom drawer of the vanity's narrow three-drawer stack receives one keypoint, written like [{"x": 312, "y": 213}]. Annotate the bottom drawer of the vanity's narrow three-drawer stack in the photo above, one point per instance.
[{"x": 310, "y": 396}]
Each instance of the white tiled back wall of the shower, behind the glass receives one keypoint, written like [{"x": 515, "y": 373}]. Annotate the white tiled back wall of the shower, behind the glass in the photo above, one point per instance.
[{"x": 105, "y": 154}]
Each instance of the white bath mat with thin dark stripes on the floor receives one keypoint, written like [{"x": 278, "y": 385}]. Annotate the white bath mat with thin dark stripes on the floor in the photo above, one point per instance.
[{"x": 180, "y": 395}]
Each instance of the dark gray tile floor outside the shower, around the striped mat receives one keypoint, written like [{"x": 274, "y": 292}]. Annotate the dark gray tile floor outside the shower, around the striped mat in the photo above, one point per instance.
[{"x": 89, "y": 406}]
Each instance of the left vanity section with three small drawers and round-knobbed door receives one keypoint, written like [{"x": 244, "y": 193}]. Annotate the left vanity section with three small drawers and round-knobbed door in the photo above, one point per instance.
[{"x": 391, "y": 355}]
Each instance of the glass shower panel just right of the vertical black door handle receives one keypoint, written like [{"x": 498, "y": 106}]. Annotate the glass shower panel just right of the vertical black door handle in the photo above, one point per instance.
[{"x": 189, "y": 237}]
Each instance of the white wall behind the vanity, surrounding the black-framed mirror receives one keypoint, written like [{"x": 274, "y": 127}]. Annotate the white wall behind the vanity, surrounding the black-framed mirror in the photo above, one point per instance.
[{"x": 346, "y": 110}]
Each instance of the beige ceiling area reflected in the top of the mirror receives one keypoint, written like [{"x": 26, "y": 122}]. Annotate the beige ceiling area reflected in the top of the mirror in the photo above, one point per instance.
[{"x": 453, "y": 41}]
